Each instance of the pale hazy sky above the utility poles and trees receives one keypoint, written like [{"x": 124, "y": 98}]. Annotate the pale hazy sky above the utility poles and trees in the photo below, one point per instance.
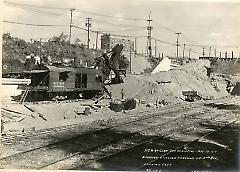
[{"x": 205, "y": 24}]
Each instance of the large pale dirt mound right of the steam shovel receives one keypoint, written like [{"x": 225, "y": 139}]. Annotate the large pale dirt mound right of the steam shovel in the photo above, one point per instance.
[{"x": 169, "y": 85}]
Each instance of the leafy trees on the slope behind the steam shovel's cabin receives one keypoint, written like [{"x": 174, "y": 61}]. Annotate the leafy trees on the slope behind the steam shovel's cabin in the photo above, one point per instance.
[{"x": 58, "y": 48}]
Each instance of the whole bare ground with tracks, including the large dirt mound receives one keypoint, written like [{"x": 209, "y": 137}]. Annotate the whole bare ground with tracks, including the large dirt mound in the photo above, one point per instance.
[{"x": 35, "y": 134}]
